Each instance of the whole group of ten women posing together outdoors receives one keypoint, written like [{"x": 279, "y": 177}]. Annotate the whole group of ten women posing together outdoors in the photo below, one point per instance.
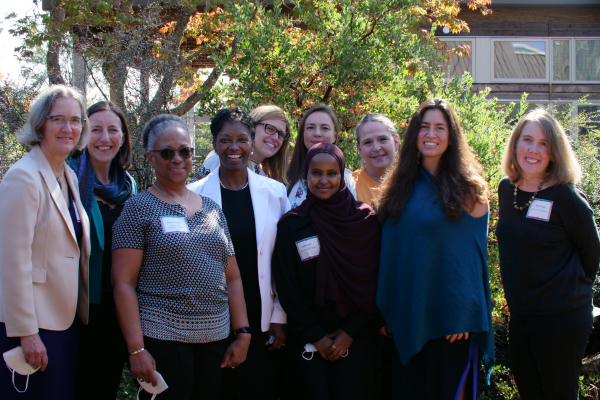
[{"x": 263, "y": 280}]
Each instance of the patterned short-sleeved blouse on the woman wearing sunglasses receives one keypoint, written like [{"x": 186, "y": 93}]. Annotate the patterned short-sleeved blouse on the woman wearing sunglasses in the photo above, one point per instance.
[{"x": 182, "y": 291}]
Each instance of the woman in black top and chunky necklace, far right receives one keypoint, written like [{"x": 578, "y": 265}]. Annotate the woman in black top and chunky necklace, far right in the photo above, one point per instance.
[{"x": 549, "y": 256}]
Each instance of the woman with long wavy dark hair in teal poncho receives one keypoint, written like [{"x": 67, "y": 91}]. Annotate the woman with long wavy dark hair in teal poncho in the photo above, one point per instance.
[{"x": 433, "y": 288}]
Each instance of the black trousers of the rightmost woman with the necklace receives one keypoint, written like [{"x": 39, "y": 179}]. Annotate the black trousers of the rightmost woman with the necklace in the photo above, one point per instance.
[{"x": 546, "y": 352}]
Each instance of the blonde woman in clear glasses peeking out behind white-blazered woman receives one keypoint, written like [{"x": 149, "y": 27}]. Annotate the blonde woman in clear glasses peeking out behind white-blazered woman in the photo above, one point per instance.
[{"x": 269, "y": 156}]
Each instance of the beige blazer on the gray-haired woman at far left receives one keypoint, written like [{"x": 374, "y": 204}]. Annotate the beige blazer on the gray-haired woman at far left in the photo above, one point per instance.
[{"x": 43, "y": 272}]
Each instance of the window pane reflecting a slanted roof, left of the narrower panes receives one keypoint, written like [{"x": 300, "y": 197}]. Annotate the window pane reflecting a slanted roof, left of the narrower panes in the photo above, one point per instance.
[{"x": 519, "y": 60}]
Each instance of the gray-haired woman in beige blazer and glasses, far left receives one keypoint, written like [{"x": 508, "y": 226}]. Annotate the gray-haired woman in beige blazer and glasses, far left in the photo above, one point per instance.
[{"x": 44, "y": 249}]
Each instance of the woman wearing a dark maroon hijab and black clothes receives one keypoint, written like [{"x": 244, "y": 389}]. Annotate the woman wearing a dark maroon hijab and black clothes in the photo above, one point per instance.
[{"x": 325, "y": 268}]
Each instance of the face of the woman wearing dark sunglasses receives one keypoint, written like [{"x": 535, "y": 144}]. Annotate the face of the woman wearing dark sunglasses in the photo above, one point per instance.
[{"x": 172, "y": 172}]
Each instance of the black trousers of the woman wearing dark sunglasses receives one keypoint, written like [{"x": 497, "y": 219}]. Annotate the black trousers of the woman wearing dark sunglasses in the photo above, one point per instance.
[{"x": 192, "y": 371}]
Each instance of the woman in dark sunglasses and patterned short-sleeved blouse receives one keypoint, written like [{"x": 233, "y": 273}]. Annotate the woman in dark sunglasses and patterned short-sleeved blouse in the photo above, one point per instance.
[{"x": 176, "y": 282}]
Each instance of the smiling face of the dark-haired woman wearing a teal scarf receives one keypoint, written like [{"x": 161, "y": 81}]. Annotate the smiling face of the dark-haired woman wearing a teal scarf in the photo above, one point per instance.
[{"x": 106, "y": 138}]
